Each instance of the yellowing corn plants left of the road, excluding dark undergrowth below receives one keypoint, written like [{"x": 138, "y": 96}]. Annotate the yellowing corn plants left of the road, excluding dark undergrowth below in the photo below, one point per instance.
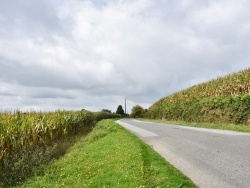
[{"x": 20, "y": 131}]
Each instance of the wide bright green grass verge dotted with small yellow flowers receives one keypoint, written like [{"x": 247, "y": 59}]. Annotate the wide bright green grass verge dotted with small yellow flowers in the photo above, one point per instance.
[{"x": 109, "y": 156}]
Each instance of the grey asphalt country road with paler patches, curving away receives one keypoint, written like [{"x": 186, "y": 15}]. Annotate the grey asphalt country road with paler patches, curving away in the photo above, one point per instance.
[{"x": 211, "y": 158}]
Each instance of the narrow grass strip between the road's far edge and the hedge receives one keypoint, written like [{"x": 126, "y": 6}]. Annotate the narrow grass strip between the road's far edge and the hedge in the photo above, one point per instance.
[{"x": 231, "y": 127}]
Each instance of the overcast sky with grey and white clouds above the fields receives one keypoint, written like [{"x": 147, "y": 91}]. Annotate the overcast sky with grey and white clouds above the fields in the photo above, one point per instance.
[{"x": 91, "y": 54}]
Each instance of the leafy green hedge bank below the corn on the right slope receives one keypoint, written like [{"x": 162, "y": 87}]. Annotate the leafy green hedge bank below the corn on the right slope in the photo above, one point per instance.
[{"x": 223, "y": 109}]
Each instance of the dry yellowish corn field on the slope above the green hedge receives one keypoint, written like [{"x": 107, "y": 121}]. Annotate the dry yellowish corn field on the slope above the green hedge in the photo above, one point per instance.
[{"x": 232, "y": 85}]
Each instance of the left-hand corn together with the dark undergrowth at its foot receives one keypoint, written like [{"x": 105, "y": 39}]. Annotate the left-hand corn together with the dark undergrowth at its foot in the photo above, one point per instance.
[{"x": 30, "y": 139}]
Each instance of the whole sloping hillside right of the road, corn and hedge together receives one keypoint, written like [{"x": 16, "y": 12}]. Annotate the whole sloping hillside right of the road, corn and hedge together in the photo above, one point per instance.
[{"x": 222, "y": 100}]
